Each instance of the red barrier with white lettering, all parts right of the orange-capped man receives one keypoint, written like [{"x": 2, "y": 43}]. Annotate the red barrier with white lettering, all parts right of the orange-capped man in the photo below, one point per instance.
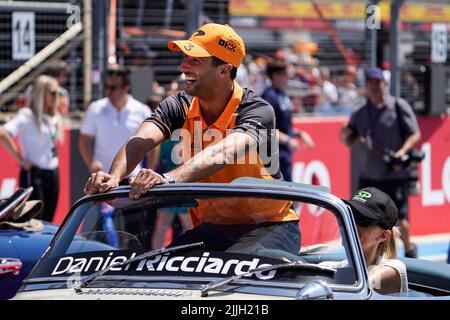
[{"x": 329, "y": 163}]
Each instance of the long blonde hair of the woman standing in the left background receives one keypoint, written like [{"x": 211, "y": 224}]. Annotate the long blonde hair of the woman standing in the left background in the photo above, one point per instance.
[{"x": 36, "y": 103}]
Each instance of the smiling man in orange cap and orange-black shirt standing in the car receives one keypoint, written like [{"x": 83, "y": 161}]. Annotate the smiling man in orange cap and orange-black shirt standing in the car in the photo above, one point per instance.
[{"x": 227, "y": 132}]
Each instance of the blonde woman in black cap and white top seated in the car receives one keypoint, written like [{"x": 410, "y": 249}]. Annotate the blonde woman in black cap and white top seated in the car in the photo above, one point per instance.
[{"x": 375, "y": 215}]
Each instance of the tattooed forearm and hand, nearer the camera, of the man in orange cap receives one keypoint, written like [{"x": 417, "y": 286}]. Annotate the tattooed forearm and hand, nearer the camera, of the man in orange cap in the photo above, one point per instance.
[{"x": 203, "y": 164}]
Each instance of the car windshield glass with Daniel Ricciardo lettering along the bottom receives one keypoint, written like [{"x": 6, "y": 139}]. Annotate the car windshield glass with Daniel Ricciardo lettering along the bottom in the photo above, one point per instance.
[{"x": 102, "y": 232}]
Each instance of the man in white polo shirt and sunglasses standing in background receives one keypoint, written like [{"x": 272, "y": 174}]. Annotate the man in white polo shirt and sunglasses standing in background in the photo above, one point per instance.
[{"x": 109, "y": 122}]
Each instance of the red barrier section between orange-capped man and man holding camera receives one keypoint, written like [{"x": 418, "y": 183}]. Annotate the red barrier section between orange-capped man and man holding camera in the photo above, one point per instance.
[{"x": 328, "y": 164}]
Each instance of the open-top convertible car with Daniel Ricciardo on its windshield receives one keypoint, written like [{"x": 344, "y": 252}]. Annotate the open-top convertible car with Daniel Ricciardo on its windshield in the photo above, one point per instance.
[{"x": 85, "y": 260}]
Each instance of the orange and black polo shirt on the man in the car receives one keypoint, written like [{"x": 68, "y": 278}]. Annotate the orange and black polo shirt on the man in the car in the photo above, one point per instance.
[{"x": 245, "y": 112}]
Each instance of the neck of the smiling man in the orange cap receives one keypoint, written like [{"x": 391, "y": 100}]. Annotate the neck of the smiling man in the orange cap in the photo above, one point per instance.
[{"x": 213, "y": 104}]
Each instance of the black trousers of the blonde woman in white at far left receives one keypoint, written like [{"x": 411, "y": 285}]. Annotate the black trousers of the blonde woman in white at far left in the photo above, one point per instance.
[{"x": 45, "y": 185}]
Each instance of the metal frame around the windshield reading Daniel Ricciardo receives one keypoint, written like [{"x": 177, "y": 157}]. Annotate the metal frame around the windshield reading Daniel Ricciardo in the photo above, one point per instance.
[{"x": 284, "y": 191}]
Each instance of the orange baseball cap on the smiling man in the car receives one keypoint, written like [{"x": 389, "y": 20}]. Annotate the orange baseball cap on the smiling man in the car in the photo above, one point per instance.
[{"x": 212, "y": 39}]
